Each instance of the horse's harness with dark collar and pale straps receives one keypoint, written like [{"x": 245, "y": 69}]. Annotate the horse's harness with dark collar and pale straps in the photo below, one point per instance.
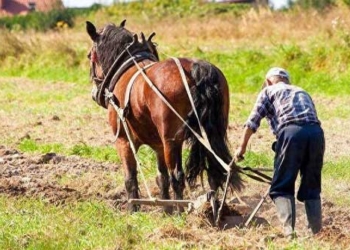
[{"x": 130, "y": 56}]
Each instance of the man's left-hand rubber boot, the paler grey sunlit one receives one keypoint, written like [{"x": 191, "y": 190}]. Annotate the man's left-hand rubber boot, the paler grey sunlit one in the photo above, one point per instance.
[{"x": 285, "y": 206}]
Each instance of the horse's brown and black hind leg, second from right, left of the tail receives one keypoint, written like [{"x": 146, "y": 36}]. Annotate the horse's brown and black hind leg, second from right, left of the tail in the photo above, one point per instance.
[{"x": 173, "y": 159}]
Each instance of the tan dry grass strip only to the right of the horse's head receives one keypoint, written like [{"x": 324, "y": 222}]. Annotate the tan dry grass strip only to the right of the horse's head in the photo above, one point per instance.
[{"x": 253, "y": 28}]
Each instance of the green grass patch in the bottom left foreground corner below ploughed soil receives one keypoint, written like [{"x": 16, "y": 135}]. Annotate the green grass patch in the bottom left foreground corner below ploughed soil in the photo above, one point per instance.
[{"x": 34, "y": 224}]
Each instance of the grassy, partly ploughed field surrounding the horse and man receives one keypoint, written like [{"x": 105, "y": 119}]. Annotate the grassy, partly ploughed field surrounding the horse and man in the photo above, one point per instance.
[{"x": 45, "y": 106}]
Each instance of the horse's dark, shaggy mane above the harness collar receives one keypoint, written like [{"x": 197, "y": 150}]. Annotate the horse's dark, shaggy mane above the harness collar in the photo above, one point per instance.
[{"x": 113, "y": 41}]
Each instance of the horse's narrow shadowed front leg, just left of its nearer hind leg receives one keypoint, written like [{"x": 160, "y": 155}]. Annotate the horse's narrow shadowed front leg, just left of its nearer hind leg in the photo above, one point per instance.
[{"x": 163, "y": 180}]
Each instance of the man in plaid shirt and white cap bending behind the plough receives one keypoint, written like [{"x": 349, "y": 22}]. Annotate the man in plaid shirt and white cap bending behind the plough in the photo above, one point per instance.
[{"x": 300, "y": 146}]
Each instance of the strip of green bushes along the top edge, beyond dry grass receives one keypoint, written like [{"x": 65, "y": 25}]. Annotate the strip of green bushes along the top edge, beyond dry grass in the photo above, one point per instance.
[{"x": 157, "y": 9}]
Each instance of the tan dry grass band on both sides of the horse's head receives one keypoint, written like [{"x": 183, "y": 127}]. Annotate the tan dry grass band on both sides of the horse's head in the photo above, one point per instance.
[{"x": 262, "y": 29}]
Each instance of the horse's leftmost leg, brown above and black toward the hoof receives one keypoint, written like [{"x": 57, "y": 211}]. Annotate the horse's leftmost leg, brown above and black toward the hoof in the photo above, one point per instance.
[{"x": 130, "y": 172}]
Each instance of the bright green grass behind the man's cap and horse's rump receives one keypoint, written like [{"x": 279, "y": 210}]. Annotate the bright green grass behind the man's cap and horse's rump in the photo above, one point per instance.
[{"x": 245, "y": 70}]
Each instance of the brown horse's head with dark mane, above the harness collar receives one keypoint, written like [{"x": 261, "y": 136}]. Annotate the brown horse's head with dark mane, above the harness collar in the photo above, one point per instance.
[{"x": 109, "y": 44}]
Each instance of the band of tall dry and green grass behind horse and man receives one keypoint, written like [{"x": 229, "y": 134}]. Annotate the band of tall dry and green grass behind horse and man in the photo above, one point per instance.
[{"x": 311, "y": 39}]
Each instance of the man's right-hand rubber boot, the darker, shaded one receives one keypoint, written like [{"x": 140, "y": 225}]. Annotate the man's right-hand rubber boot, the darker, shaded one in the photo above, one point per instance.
[{"x": 314, "y": 215}]
